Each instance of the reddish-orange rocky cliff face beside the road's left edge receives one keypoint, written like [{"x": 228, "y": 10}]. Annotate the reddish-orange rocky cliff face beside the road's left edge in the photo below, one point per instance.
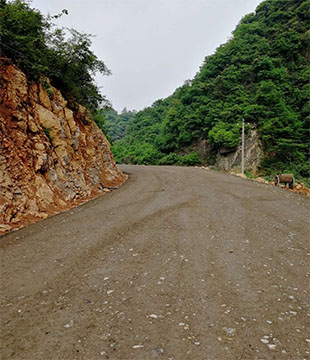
[{"x": 51, "y": 158}]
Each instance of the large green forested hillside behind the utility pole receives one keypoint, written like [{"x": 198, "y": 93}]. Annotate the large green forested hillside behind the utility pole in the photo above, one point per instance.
[{"x": 261, "y": 74}]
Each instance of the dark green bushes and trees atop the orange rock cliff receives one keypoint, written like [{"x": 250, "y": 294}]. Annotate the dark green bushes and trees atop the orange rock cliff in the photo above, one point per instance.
[{"x": 38, "y": 48}]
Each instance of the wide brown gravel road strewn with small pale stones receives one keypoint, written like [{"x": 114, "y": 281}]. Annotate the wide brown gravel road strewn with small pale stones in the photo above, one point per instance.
[{"x": 177, "y": 264}]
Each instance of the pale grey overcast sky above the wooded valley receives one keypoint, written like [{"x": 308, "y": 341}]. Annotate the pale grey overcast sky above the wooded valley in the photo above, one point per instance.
[{"x": 151, "y": 46}]
